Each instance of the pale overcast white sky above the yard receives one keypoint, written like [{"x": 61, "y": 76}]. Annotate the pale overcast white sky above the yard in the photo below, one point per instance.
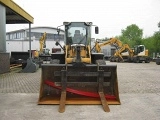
[{"x": 111, "y": 16}]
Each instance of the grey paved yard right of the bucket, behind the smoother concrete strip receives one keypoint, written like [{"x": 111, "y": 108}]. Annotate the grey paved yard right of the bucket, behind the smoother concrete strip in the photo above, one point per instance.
[{"x": 138, "y": 77}]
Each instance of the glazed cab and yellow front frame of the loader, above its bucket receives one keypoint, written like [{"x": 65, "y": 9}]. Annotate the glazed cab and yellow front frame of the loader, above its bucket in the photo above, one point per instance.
[{"x": 78, "y": 42}]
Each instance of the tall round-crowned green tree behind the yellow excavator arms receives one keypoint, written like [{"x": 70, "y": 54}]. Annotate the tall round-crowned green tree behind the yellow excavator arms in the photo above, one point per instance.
[{"x": 132, "y": 35}]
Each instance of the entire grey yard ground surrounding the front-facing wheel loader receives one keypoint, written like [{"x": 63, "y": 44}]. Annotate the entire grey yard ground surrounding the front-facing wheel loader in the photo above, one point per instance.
[{"x": 139, "y": 88}]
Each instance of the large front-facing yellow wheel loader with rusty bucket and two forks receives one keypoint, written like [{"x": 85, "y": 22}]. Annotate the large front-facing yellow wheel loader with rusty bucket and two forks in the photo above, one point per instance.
[{"x": 78, "y": 76}]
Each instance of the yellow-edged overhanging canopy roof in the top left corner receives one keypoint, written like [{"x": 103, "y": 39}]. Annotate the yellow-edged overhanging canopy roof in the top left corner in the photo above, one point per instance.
[{"x": 15, "y": 14}]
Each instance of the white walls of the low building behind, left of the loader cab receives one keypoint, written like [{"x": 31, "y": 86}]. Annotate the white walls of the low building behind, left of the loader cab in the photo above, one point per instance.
[{"x": 22, "y": 44}]
